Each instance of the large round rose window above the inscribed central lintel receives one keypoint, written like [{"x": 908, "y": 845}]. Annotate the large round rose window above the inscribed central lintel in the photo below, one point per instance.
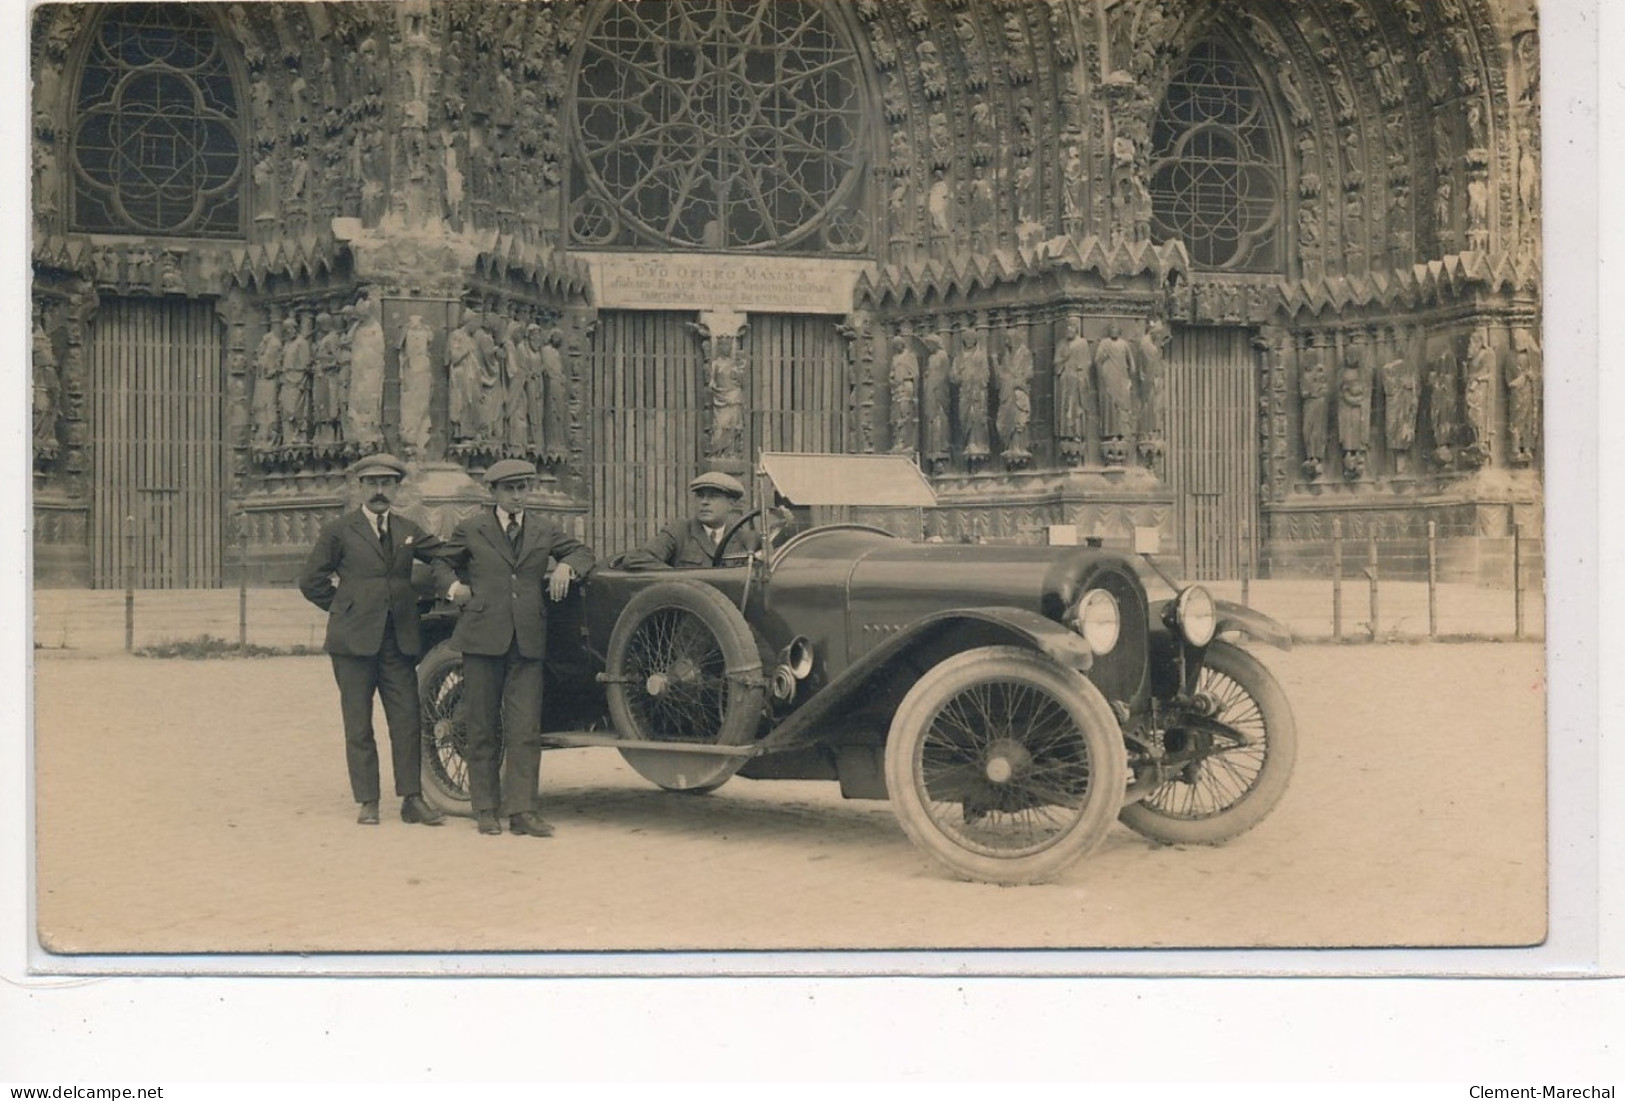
[{"x": 719, "y": 124}]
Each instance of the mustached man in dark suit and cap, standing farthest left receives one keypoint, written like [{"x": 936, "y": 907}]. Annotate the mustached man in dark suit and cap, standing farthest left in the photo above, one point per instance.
[{"x": 373, "y": 633}]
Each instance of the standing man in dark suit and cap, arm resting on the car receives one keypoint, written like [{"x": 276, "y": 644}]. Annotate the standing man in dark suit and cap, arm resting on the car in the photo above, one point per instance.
[{"x": 500, "y": 558}]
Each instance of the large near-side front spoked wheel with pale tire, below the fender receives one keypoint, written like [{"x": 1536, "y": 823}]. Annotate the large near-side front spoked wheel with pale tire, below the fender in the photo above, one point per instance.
[{"x": 1005, "y": 767}]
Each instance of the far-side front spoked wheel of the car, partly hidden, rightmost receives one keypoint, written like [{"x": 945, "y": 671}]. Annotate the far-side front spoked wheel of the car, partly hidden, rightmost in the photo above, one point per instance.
[{"x": 1228, "y": 767}]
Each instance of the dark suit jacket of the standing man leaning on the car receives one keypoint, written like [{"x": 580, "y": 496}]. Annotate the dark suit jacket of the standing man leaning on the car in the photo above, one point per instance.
[{"x": 509, "y": 587}]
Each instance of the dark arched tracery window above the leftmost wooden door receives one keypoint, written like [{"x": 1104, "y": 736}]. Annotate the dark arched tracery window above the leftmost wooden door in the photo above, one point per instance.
[{"x": 157, "y": 147}]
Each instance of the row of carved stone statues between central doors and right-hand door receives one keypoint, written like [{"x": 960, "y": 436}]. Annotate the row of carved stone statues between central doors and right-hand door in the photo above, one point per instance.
[{"x": 1116, "y": 391}]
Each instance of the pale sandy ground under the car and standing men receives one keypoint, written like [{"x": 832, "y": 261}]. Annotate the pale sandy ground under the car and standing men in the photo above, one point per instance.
[{"x": 201, "y": 806}]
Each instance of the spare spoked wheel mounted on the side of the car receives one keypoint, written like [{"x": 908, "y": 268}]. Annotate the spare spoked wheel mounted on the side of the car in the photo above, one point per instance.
[{"x": 683, "y": 667}]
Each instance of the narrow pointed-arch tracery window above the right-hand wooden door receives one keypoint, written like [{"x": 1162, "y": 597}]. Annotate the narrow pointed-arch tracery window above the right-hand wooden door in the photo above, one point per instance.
[{"x": 1215, "y": 166}]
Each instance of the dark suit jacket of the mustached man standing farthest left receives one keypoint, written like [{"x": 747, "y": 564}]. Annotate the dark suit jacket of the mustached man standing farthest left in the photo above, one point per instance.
[{"x": 371, "y": 590}]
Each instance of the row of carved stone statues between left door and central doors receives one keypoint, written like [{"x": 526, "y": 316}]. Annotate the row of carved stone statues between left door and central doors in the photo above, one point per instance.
[{"x": 319, "y": 384}]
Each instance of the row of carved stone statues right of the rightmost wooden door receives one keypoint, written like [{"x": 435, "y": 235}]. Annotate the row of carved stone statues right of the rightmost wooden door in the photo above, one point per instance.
[{"x": 1460, "y": 415}]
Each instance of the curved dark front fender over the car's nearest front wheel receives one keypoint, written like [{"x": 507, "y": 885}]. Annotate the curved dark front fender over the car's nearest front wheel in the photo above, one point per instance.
[{"x": 895, "y": 665}]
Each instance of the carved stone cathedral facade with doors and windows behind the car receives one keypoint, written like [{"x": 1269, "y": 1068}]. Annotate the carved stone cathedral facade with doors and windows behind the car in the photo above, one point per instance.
[{"x": 1255, "y": 274}]
